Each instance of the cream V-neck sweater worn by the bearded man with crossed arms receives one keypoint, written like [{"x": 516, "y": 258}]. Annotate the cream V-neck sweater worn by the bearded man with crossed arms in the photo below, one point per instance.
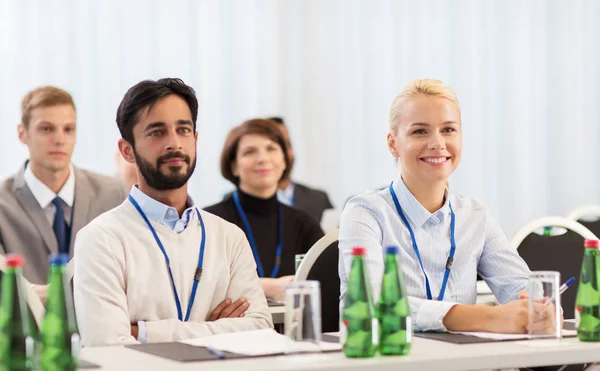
[{"x": 121, "y": 278}]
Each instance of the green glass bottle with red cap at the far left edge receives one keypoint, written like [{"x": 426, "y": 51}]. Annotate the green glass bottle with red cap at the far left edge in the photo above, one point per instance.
[{"x": 16, "y": 326}]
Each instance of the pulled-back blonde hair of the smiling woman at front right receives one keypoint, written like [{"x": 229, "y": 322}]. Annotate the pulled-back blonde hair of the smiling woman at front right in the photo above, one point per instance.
[{"x": 429, "y": 87}]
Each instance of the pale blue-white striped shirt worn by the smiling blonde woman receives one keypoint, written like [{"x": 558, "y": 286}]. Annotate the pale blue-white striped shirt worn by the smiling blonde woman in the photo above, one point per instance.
[{"x": 371, "y": 220}]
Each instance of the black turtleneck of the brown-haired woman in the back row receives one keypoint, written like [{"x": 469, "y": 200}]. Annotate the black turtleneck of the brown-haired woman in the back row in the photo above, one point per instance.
[{"x": 300, "y": 231}]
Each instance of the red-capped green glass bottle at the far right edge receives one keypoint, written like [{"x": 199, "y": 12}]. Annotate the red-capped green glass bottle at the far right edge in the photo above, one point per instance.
[{"x": 587, "y": 314}]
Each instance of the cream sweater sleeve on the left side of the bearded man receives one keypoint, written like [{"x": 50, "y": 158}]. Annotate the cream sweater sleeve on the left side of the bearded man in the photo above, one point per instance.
[{"x": 99, "y": 290}]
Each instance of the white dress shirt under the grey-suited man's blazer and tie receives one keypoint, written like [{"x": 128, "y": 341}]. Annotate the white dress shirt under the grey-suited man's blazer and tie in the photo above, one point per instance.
[{"x": 45, "y": 195}]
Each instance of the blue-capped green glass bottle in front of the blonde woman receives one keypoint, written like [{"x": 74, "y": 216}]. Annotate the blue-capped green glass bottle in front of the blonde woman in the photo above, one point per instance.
[{"x": 394, "y": 312}]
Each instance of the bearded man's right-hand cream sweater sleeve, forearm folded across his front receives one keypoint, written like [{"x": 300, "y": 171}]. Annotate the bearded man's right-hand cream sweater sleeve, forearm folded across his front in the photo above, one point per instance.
[{"x": 243, "y": 283}]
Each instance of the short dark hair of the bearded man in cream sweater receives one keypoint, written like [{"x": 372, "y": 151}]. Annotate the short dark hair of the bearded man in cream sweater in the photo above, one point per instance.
[{"x": 144, "y": 95}]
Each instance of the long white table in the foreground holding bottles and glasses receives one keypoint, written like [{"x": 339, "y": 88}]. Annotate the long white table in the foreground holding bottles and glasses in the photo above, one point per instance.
[{"x": 425, "y": 355}]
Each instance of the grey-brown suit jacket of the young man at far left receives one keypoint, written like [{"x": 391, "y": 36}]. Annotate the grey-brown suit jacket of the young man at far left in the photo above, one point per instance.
[{"x": 25, "y": 230}]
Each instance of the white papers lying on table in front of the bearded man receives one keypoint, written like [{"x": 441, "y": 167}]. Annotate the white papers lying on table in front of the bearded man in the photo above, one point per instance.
[{"x": 259, "y": 343}]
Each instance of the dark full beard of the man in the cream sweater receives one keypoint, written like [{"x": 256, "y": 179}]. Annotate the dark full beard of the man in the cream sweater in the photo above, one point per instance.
[{"x": 159, "y": 181}]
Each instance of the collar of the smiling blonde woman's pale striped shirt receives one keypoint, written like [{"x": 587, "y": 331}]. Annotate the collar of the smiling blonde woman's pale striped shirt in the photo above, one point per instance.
[{"x": 413, "y": 209}]
